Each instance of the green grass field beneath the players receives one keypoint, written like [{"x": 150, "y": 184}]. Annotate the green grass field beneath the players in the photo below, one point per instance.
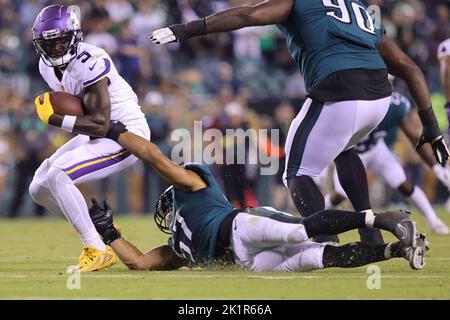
[{"x": 34, "y": 255}]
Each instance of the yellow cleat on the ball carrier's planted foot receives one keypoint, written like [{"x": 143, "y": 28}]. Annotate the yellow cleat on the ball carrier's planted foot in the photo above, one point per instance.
[{"x": 92, "y": 259}]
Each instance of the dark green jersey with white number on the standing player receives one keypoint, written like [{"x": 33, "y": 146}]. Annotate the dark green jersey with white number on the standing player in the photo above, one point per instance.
[{"x": 326, "y": 36}]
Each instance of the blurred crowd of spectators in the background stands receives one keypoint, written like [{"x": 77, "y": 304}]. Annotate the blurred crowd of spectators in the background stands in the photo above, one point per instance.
[{"x": 244, "y": 79}]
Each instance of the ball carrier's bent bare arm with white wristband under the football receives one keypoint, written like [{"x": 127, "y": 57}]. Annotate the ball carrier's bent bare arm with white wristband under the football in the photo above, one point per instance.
[{"x": 98, "y": 106}]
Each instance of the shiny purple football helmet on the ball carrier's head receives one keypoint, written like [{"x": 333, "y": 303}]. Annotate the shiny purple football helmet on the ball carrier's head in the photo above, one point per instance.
[{"x": 56, "y": 35}]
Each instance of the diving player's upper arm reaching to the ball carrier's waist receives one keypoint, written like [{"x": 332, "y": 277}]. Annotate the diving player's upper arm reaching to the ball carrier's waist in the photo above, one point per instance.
[{"x": 148, "y": 152}]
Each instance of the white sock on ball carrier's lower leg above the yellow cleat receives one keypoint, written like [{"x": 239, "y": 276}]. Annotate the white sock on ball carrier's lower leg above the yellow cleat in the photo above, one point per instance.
[{"x": 74, "y": 207}]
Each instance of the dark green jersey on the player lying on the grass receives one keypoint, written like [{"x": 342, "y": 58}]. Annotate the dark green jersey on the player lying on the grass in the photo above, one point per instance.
[{"x": 198, "y": 216}]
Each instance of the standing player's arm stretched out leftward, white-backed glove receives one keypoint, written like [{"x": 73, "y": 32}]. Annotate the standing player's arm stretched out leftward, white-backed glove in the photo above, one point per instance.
[{"x": 264, "y": 13}]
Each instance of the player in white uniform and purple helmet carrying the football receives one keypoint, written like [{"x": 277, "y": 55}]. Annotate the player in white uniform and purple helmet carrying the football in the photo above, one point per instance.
[{"x": 70, "y": 65}]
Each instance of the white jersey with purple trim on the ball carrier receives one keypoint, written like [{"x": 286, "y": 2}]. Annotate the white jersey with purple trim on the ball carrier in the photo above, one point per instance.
[{"x": 90, "y": 66}]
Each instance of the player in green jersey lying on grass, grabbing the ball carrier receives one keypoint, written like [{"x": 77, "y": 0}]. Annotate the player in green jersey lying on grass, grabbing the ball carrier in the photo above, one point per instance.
[{"x": 205, "y": 227}]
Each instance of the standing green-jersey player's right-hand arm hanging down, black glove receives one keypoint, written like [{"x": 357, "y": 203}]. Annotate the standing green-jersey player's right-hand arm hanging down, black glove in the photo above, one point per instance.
[{"x": 400, "y": 65}]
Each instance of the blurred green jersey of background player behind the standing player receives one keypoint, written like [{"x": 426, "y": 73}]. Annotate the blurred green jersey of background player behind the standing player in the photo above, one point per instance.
[{"x": 399, "y": 108}]
